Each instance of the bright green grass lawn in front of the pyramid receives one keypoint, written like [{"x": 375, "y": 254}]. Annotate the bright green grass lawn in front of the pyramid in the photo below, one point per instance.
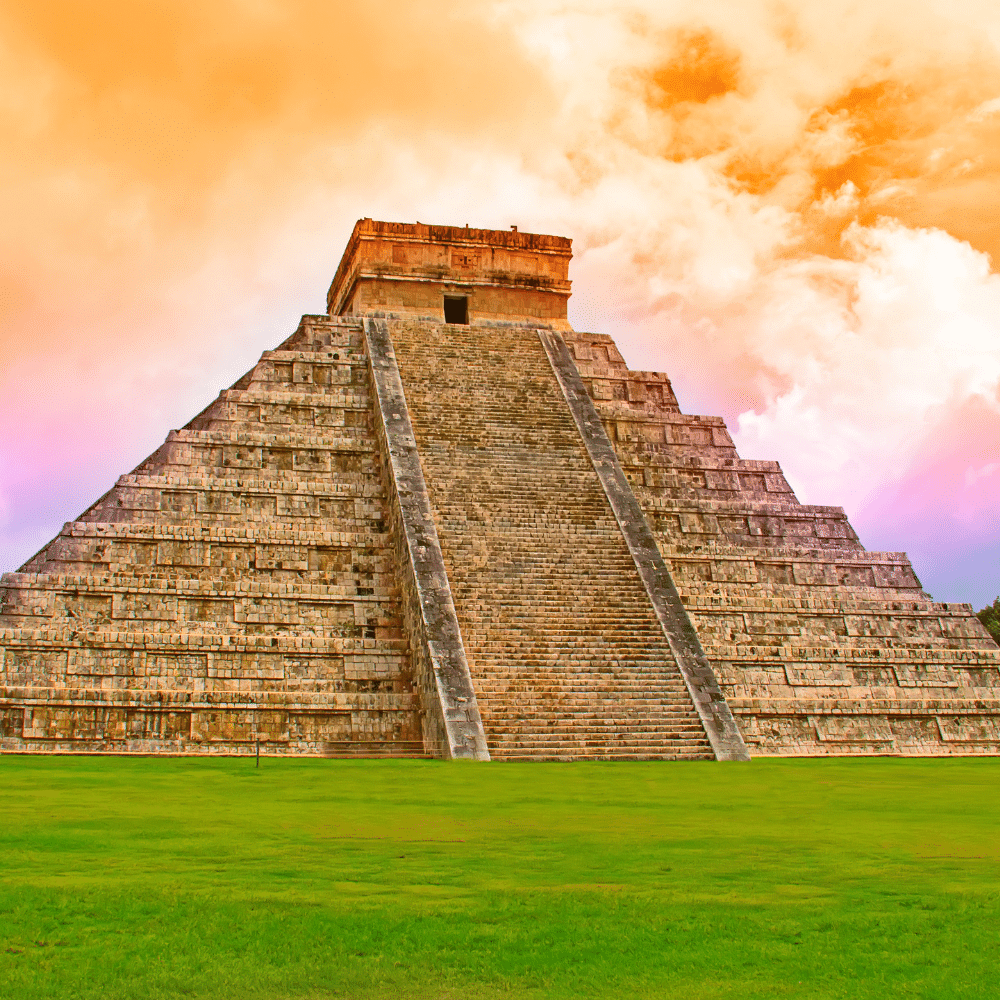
[{"x": 136, "y": 878}]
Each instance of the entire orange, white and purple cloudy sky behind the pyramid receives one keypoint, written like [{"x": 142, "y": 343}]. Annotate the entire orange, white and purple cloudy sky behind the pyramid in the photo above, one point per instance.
[{"x": 788, "y": 207}]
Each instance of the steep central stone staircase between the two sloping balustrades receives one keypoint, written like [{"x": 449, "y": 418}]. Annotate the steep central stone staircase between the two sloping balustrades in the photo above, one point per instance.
[{"x": 567, "y": 657}]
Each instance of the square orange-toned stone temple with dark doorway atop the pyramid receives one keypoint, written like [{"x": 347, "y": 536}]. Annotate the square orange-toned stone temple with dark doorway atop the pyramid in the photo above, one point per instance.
[{"x": 459, "y": 275}]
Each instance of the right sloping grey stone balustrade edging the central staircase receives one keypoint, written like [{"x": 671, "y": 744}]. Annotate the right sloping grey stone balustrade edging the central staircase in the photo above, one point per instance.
[{"x": 714, "y": 711}]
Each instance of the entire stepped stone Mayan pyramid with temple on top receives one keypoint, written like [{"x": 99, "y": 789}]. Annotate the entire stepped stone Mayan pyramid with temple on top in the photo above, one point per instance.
[{"x": 439, "y": 521}]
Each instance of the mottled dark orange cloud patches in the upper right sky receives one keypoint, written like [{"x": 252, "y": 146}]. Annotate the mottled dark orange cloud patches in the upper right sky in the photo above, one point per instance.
[{"x": 900, "y": 132}]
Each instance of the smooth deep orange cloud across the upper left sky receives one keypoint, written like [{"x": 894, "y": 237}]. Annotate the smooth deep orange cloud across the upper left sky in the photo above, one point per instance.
[{"x": 173, "y": 93}]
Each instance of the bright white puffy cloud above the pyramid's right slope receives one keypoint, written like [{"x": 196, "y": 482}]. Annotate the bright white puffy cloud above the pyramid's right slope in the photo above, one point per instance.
[{"x": 912, "y": 336}]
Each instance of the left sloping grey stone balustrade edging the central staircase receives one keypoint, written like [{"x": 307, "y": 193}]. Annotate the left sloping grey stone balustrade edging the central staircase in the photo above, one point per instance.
[{"x": 452, "y": 724}]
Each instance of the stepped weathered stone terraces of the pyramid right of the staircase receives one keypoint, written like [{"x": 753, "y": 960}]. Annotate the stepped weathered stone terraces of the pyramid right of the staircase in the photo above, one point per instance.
[{"x": 820, "y": 646}]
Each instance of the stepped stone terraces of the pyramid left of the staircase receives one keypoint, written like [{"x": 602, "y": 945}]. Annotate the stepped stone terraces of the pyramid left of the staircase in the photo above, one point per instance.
[{"x": 237, "y": 586}]
